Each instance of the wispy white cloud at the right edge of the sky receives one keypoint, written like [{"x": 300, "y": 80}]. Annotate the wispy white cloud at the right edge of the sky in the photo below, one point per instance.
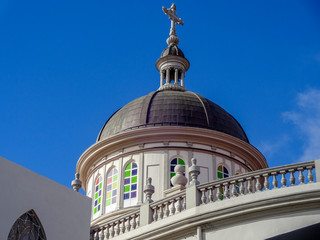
[{"x": 307, "y": 119}]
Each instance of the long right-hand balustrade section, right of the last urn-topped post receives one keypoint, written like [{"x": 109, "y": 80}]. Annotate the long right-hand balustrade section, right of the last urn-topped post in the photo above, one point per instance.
[{"x": 257, "y": 181}]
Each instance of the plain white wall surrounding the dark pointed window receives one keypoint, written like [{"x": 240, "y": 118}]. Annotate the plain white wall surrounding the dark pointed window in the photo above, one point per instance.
[{"x": 64, "y": 214}]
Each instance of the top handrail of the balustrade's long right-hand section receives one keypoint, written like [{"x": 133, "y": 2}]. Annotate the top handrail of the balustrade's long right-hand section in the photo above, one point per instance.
[{"x": 257, "y": 173}]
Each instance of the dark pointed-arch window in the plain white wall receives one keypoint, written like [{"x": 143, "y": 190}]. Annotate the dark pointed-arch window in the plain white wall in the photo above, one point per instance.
[{"x": 27, "y": 226}]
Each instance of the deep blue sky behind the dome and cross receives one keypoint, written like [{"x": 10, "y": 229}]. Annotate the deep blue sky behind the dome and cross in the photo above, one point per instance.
[{"x": 66, "y": 66}]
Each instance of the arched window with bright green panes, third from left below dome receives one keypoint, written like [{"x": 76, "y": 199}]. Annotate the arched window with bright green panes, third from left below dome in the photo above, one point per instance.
[{"x": 130, "y": 184}]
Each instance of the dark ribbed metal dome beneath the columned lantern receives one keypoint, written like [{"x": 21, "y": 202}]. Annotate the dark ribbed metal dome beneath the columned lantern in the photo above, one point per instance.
[{"x": 172, "y": 108}]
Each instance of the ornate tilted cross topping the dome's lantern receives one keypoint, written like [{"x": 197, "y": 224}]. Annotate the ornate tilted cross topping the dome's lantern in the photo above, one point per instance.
[{"x": 171, "y": 12}]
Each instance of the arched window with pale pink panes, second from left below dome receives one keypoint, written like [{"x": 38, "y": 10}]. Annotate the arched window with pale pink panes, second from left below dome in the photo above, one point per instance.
[{"x": 112, "y": 185}]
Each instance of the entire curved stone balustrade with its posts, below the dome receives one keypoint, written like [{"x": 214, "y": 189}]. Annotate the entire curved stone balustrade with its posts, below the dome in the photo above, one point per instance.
[{"x": 269, "y": 179}]
